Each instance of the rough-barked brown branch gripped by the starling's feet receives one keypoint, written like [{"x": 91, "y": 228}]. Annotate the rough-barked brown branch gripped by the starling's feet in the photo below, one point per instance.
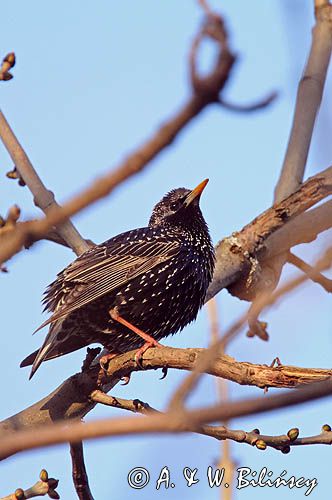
[{"x": 72, "y": 398}]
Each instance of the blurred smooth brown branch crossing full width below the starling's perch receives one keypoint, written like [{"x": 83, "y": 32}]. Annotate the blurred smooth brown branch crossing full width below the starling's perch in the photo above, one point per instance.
[{"x": 170, "y": 422}]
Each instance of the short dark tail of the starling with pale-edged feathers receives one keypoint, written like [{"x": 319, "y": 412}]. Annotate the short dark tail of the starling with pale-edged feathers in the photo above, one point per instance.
[{"x": 56, "y": 344}]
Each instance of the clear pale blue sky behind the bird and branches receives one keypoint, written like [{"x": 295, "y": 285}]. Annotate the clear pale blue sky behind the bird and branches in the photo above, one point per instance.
[{"x": 92, "y": 81}]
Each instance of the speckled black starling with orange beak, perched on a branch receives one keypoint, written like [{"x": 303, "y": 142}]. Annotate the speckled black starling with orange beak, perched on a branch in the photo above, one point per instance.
[{"x": 135, "y": 288}]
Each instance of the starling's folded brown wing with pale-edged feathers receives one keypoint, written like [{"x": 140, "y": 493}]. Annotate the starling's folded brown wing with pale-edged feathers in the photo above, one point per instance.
[{"x": 103, "y": 269}]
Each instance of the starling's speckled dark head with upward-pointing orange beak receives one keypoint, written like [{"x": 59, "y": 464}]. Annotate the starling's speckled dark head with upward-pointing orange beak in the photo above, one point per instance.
[{"x": 180, "y": 205}]
